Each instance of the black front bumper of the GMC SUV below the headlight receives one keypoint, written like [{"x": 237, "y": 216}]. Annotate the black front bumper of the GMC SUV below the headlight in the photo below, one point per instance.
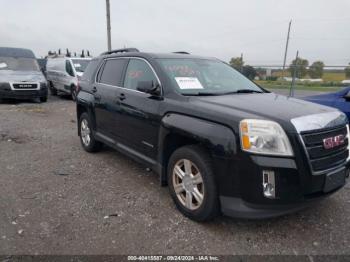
[{"x": 296, "y": 189}]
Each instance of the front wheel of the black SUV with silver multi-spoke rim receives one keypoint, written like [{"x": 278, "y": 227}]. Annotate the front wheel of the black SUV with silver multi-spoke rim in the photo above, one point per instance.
[{"x": 192, "y": 184}]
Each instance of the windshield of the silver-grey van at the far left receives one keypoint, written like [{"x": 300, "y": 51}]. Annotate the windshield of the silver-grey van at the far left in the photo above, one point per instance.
[{"x": 19, "y": 64}]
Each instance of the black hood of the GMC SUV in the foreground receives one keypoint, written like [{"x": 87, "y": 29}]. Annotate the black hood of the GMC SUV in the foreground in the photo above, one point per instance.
[{"x": 264, "y": 106}]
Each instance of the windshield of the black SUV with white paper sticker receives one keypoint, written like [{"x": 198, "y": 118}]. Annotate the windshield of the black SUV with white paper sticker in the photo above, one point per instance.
[{"x": 206, "y": 77}]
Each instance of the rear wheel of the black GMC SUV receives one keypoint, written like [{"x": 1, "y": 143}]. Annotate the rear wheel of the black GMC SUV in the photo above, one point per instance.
[{"x": 87, "y": 139}]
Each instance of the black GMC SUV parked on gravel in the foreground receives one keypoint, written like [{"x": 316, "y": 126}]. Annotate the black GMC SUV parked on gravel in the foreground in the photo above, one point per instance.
[{"x": 219, "y": 141}]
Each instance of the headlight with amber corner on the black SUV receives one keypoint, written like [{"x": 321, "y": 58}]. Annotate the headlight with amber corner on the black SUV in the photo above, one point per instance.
[{"x": 264, "y": 137}]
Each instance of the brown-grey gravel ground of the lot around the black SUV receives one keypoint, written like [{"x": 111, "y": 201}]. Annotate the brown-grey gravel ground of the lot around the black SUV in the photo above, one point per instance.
[{"x": 57, "y": 199}]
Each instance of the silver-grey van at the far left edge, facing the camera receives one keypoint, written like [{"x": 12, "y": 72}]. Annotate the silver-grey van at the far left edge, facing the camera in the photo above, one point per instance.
[{"x": 20, "y": 75}]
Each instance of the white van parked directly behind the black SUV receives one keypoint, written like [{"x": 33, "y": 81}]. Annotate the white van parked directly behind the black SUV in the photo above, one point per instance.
[{"x": 62, "y": 73}]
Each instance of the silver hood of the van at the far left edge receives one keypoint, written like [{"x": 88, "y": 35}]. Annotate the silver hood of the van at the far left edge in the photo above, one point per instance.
[{"x": 21, "y": 76}]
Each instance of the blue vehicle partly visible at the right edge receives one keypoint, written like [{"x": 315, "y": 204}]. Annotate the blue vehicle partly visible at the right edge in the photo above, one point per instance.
[{"x": 339, "y": 100}]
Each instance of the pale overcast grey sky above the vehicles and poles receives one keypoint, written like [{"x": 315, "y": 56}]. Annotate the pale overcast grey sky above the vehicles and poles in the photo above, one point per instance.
[{"x": 220, "y": 28}]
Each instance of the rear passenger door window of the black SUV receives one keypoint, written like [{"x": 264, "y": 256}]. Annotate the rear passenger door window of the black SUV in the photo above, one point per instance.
[{"x": 112, "y": 73}]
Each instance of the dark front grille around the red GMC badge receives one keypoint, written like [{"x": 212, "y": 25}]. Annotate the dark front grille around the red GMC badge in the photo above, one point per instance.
[{"x": 321, "y": 158}]
